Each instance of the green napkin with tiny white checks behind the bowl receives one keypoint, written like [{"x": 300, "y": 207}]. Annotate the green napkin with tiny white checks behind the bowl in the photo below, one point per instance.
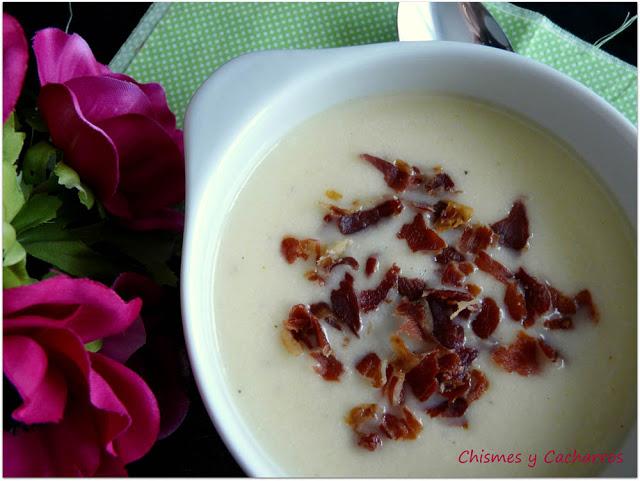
[{"x": 181, "y": 44}]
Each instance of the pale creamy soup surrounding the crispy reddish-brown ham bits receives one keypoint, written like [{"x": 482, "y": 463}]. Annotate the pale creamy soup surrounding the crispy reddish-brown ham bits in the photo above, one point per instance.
[{"x": 579, "y": 240}]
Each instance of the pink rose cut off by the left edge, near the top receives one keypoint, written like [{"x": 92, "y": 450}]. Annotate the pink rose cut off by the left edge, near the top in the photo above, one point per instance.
[{"x": 14, "y": 63}]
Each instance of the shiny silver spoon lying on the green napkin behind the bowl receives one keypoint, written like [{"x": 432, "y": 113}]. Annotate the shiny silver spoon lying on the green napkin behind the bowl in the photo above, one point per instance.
[{"x": 458, "y": 21}]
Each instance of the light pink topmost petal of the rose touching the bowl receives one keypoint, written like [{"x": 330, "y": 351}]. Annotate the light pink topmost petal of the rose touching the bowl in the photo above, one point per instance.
[{"x": 61, "y": 57}]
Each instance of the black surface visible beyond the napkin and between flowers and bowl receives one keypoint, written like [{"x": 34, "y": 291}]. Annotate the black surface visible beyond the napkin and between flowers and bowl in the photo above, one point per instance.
[{"x": 196, "y": 449}]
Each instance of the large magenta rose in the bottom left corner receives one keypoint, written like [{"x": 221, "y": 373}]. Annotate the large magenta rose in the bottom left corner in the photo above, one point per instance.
[{"x": 79, "y": 413}]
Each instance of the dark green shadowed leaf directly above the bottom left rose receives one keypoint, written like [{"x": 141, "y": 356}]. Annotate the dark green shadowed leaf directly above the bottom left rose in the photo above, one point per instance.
[{"x": 72, "y": 257}]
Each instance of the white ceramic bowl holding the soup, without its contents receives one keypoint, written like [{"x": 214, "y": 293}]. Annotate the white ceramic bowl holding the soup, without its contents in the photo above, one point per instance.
[{"x": 251, "y": 102}]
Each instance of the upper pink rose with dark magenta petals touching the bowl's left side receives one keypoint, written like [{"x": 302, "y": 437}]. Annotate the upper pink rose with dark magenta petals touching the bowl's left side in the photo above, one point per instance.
[{"x": 119, "y": 135}]
